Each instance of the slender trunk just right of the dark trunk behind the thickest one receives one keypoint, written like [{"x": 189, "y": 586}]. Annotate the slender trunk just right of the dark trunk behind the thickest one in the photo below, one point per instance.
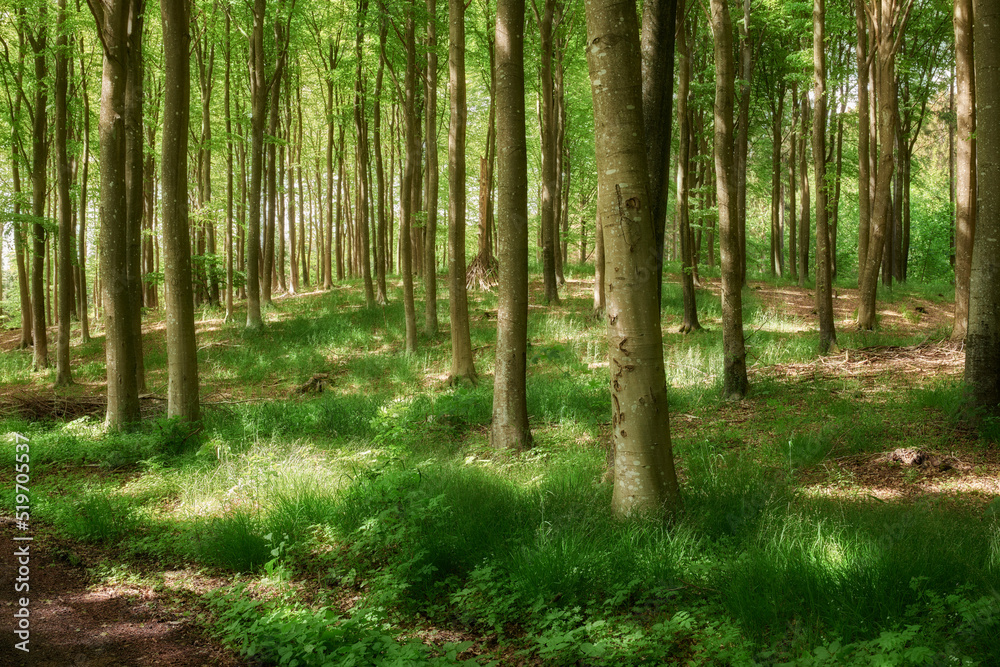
[{"x": 684, "y": 177}]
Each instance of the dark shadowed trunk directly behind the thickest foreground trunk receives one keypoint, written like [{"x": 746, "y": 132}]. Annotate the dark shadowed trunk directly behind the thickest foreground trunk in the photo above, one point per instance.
[{"x": 659, "y": 25}]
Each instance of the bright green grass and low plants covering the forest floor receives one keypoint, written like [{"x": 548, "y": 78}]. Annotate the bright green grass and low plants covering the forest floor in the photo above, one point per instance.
[{"x": 383, "y": 488}]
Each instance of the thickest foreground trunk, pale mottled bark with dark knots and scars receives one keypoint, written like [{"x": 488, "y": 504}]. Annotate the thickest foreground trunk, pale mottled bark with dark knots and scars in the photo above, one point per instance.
[{"x": 645, "y": 479}]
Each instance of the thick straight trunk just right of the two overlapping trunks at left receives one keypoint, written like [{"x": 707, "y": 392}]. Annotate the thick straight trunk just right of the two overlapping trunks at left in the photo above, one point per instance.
[{"x": 182, "y": 352}]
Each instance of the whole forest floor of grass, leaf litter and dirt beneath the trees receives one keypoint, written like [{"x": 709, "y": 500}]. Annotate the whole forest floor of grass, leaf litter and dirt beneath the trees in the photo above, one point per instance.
[{"x": 123, "y": 557}]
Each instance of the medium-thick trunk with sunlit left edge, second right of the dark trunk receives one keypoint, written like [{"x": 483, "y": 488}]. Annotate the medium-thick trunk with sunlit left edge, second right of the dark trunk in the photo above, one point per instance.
[{"x": 734, "y": 374}]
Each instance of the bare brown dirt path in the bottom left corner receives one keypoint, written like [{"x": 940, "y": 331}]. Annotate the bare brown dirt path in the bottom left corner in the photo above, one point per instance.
[{"x": 74, "y": 624}]
